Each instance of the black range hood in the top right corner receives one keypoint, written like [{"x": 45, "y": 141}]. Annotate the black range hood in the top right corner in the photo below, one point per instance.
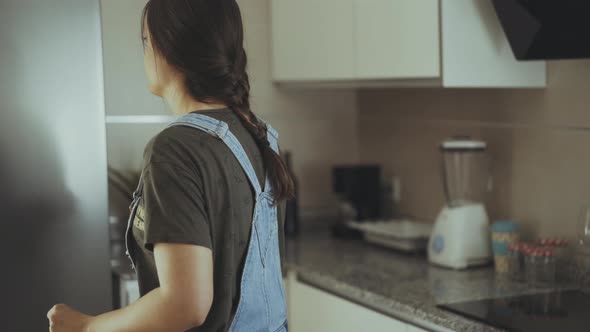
[{"x": 546, "y": 29}]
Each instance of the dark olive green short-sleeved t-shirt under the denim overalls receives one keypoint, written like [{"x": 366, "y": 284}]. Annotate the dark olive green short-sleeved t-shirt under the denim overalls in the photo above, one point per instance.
[{"x": 195, "y": 192}]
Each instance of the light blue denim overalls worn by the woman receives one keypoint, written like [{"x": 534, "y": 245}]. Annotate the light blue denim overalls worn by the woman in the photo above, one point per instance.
[{"x": 262, "y": 306}]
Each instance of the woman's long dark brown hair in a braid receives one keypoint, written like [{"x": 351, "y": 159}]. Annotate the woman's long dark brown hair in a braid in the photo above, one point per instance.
[{"x": 204, "y": 41}]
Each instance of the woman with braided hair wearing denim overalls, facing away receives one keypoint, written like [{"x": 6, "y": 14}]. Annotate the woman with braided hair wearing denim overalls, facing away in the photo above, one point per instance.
[{"x": 204, "y": 234}]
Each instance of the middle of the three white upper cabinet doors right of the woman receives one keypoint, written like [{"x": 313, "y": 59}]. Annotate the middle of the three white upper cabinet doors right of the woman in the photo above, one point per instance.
[{"x": 397, "y": 39}]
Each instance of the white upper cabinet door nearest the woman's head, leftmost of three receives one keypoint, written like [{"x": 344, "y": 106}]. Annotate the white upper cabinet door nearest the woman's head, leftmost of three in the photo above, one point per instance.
[{"x": 312, "y": 40}]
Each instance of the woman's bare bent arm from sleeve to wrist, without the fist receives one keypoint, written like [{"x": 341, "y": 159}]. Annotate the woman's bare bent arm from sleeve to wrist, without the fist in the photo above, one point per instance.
[{"x": 182, "y": 301}]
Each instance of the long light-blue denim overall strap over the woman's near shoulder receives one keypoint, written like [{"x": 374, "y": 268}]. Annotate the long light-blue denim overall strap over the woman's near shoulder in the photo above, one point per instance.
[{"x": 220, "y": 129}]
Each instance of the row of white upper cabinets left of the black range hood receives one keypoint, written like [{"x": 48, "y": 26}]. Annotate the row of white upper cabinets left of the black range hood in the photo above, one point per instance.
[{"x": 358, "y": 43}]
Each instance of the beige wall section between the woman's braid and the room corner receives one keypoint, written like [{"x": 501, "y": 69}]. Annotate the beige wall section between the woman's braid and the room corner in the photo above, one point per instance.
[{"x": 320, "y": 127}]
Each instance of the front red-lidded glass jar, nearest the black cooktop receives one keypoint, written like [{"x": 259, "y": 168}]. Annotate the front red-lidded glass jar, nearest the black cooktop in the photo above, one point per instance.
[{"x": 540, "y": 268}]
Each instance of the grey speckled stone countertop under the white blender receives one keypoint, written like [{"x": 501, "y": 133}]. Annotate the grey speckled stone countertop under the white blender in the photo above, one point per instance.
[{"x": 403, "y": 286}]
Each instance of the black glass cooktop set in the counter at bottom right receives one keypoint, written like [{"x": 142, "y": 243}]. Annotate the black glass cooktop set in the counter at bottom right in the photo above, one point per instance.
[{"x": 548, "y": 312}]
